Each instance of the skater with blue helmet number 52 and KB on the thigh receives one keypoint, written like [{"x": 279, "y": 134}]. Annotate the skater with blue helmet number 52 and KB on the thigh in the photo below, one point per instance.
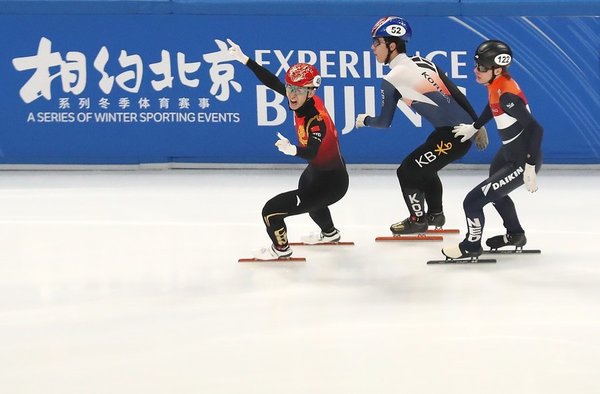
[{"x": 425, "y": 88}]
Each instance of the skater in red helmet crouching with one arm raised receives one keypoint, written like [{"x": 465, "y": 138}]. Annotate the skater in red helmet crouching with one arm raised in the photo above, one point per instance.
[{"x": 325, "y": 179}]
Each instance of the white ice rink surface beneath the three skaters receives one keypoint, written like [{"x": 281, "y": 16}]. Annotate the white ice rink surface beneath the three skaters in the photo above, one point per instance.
[{"x": 128, "y": 282}]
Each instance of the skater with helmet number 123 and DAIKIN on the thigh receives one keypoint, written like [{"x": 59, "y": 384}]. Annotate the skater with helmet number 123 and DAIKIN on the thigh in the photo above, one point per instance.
[{"x": 515, "y": 164}]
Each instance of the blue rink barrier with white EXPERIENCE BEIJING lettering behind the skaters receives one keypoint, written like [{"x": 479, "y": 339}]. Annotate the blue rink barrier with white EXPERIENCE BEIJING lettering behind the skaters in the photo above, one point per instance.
[{"x": 117, "y": 82}]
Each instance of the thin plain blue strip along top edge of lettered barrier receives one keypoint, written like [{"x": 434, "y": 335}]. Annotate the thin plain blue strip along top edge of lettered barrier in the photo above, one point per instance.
[{"x": 308, "y": 7}]
